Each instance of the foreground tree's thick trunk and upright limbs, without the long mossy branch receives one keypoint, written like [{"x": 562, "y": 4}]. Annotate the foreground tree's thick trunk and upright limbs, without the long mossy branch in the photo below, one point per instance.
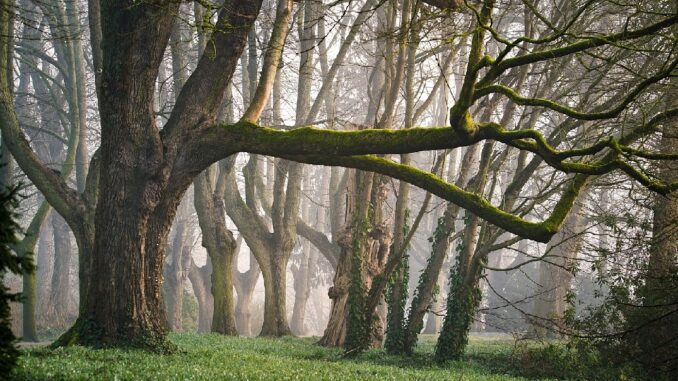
[{"x": 143, "y": 172}]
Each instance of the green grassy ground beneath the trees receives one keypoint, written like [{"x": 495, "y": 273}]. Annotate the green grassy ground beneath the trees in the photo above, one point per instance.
[{"x": 214, "y": 357}]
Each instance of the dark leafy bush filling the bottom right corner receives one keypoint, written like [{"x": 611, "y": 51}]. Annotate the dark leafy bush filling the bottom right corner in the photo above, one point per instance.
[{"x": 629, "y": 331}]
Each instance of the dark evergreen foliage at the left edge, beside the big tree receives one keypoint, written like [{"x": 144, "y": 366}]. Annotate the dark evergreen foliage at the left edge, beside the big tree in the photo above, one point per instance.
[{"x": 13, "y": 263}]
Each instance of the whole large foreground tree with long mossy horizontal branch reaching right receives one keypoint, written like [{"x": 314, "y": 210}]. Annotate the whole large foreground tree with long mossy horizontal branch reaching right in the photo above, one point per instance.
[{"x": 121, "y": 219}]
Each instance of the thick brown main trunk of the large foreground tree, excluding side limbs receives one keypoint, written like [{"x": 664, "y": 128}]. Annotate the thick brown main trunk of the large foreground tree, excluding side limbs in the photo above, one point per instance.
[{"x": 123, "y": 305}]
